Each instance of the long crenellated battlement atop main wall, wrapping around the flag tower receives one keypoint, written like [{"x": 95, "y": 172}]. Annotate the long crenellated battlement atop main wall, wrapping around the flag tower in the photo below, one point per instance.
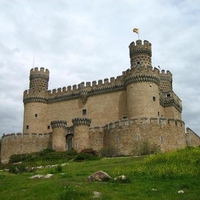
[{"x": 138, "y": 74}]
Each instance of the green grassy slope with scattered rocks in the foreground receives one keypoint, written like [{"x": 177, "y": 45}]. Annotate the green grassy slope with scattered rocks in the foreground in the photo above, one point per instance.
[{"x": 152, "y": 177}]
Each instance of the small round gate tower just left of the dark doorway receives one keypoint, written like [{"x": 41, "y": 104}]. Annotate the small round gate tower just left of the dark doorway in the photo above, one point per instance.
[{"x": 58, "y": 135}]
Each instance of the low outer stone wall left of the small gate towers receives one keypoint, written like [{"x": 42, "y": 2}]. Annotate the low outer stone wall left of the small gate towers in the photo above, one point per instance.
[{"x": 23, "y": 143}]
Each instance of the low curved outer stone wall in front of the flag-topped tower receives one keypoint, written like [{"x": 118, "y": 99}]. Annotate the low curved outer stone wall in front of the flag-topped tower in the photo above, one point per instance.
[{"x": 127, "y": 135}]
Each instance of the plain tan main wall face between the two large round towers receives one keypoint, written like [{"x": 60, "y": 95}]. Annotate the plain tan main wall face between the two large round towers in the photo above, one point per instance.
[{"x": 100, "y": 108}]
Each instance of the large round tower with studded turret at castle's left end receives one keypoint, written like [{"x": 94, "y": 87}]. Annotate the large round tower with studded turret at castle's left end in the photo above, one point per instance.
[{"x": 35, "y": 102}]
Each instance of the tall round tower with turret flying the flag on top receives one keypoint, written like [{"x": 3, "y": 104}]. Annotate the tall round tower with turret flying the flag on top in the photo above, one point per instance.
[{"x": 142, "y": 83}]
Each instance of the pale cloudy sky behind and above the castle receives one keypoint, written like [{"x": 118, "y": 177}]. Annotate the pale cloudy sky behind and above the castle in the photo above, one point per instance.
[{"x": 88, "y": 40}]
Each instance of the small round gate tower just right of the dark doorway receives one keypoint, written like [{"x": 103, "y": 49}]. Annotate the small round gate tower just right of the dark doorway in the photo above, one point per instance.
[{"x": 81, "y": 133}]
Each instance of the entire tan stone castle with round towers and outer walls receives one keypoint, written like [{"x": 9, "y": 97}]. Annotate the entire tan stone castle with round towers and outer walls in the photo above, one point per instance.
[{"x": 139, "y": 105}]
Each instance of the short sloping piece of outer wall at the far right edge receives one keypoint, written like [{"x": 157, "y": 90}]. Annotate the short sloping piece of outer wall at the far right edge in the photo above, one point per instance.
[{"x": 192, "y": 139}]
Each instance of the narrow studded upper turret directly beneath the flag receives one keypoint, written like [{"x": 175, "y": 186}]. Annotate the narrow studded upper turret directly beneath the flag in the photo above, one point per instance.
[{"x": 140, "y": 54}]
